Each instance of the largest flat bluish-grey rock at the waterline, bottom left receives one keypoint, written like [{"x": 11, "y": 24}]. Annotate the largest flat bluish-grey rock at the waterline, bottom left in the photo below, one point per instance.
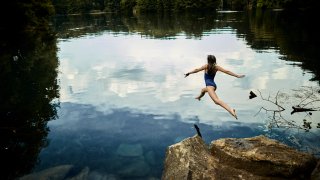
[{"x": 55, "y": 173}]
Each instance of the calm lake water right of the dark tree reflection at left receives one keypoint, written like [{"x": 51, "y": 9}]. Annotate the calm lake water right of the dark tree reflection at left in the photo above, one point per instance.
[{"x": 124, "y": 99}]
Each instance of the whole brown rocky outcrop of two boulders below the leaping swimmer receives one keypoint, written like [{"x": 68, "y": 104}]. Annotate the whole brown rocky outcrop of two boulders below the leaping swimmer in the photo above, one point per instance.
[{"x": 230, "y": 158}]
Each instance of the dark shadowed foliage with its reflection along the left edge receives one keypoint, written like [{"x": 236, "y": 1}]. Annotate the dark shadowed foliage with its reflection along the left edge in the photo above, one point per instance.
[{"x": 28, "y": 72}]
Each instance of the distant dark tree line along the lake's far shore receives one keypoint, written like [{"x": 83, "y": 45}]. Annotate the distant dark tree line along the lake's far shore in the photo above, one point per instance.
[{"x": 86, "y": 6}]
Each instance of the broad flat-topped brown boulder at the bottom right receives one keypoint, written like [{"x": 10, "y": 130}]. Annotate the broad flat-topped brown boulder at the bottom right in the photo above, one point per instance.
[{"x": 264, "y": 157}]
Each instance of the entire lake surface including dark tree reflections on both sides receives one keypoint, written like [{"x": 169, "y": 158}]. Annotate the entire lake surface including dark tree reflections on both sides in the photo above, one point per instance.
[{"x": 107, "y": 93}]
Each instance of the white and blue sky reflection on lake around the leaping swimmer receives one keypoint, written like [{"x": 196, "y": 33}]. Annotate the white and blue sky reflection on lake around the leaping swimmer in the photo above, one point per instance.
[{"x": 126, "y": 90}]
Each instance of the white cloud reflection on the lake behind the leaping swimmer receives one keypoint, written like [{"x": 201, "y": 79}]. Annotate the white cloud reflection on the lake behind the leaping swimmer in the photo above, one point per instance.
[{"x": 147, "y": 74}]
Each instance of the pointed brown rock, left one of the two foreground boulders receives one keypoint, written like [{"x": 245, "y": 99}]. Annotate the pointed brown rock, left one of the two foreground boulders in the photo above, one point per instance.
[{"x": 191, "y": 159}]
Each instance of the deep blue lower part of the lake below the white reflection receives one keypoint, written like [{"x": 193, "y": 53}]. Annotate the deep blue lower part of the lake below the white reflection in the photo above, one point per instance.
[{"x": 86, "y": 137}]
